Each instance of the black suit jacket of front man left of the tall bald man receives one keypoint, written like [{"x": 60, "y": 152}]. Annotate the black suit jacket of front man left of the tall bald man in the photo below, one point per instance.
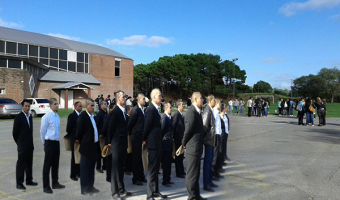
[{"x": 117, "y": 132}]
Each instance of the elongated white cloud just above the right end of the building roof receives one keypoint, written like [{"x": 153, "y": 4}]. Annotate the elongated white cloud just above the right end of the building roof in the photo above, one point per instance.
[{"x": 140, "y": 40}]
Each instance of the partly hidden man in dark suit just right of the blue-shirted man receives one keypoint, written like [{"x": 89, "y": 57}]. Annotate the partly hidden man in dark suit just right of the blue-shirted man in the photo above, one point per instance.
[{"x": 71, "y": 130}]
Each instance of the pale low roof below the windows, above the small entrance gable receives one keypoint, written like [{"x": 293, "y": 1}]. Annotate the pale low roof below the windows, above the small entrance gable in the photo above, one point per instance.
[{"x": 58, "y": 76}]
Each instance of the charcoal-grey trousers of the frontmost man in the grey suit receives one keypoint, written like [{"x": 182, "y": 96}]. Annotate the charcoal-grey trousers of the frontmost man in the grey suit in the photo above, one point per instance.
[{"x": 193, "y": 176}]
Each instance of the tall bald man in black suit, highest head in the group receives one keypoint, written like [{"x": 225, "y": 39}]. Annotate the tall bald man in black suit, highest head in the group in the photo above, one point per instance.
[{"x": 152, "y": 138}]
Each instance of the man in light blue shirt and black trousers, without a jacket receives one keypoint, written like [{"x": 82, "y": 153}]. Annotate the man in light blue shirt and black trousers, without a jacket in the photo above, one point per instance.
[{"x": 50, "y": 132}]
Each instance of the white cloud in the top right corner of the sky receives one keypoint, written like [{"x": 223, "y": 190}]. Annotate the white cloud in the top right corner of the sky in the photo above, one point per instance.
[{"x": 290, "y": 9}]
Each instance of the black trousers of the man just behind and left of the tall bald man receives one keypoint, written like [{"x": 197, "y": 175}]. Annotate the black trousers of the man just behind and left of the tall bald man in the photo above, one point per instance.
[{"x": 137, "y": 162}]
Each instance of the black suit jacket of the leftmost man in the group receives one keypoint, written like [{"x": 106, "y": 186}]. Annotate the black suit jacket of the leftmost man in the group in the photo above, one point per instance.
[{"x": 23, "y": 133}]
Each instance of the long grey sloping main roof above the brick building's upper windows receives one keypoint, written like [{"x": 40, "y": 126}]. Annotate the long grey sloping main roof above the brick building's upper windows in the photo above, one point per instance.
[{"x": 51, "y": 41}]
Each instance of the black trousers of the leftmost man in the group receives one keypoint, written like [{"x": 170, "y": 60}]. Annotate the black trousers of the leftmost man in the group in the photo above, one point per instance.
[{"x": 24, "y": 165}]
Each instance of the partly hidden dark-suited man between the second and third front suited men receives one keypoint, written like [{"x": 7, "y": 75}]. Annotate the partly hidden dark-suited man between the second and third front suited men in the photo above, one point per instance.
[{"x": 100, "y": 124}]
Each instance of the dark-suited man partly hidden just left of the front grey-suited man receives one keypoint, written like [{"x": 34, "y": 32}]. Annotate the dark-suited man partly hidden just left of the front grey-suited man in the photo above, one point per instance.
[{"x": 178, "y": 122}]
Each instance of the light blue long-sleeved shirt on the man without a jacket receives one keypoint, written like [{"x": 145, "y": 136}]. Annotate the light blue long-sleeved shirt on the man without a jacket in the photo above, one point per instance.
[{"x": 50, "y": 127}]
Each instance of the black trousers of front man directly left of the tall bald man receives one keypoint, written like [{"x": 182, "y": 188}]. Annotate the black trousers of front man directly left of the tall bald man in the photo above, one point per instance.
[{"x": 117, "y": 171}]
